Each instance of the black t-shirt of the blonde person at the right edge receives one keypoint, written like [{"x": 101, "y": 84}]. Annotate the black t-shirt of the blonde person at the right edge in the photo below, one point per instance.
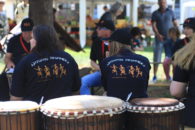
[{"x": 187, "y": 76}]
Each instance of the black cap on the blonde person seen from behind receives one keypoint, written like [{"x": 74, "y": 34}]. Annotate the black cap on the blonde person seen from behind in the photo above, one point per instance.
[{"x": 122, "y": 36}]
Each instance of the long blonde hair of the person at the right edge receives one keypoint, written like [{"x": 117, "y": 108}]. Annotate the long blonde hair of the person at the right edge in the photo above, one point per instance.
[{"x": 185, "y": 57}]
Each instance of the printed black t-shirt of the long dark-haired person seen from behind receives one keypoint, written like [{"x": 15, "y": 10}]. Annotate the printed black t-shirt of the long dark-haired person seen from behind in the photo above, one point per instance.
[{"x": 51, "y": 76}]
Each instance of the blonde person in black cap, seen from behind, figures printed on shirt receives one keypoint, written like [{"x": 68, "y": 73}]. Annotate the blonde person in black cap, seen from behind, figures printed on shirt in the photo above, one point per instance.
[{"x": 124, "y": 72}]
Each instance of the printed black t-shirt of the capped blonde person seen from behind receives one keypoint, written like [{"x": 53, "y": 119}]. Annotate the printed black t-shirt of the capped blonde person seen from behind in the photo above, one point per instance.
[{"x": 124, "y": 73}]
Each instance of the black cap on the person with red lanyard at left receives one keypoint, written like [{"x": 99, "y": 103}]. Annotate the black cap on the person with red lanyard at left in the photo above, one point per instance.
[{"x": 27, "y": 25}]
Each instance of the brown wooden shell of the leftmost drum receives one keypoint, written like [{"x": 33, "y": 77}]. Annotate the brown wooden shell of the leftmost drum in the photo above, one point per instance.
[{"x": 20, "y": 121}]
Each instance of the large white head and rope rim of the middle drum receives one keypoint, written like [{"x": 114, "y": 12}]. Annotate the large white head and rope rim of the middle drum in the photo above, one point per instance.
[{"x": 82, "y": 105}]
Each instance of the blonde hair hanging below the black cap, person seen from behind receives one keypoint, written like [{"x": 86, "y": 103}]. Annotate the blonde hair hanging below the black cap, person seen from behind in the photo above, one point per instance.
[{"x": 115, "y": 47}]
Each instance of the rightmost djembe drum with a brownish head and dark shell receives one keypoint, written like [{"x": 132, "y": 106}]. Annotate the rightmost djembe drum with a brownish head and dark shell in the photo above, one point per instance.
[{"x": 154, "y": 114}]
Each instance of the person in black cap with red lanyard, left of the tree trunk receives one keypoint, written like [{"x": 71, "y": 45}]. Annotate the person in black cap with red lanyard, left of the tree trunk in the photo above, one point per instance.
[{"x": 19, "y": 45}]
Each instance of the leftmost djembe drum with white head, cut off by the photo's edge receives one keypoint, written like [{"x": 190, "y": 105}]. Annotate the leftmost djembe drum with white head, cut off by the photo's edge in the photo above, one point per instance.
[{"x": 19, "y": 115}]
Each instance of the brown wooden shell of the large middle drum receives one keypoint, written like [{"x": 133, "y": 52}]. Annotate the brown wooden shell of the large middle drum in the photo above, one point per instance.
[{"x": 97, "y": 122}]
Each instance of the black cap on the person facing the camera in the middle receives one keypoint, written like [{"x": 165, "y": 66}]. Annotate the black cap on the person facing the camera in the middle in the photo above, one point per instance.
[{"x": 107, "y": 24}]
